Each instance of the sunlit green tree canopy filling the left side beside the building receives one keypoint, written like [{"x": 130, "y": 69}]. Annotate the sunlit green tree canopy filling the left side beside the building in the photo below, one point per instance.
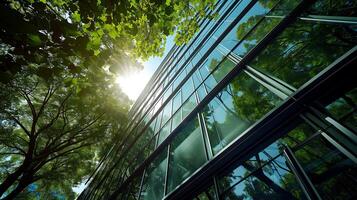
[{"x": 59, "y": 106}]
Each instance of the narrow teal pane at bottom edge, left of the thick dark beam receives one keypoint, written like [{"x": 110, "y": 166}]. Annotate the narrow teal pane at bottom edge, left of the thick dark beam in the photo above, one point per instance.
[{"x": 154, "y": 180}]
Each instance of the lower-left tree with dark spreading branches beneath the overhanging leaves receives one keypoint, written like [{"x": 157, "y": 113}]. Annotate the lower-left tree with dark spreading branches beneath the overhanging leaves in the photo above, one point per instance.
[{"x": 51, "y": 131}]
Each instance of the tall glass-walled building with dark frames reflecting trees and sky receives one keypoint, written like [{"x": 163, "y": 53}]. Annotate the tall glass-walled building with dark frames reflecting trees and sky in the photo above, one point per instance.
[{"x": 260, "y": 104}]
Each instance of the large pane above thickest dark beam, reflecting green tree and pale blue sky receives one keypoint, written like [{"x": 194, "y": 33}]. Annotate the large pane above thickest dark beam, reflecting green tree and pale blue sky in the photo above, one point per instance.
[{"x": 235, "y": 108}]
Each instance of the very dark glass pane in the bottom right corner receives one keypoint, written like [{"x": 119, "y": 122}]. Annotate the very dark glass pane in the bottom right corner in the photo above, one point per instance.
[{"x": 332, "y": 173}]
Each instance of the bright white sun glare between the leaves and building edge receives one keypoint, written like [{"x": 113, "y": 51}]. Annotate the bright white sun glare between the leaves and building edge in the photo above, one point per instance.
[{"x": 133, "y": 83}]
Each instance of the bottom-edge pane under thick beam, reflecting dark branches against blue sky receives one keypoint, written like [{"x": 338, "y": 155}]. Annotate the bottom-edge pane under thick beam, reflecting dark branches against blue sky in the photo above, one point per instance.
[{"x": 274, "y": 180}]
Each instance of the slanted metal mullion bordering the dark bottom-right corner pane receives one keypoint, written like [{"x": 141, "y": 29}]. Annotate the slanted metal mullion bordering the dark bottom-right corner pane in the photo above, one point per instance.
[{"x": 302, "y": 178}]
